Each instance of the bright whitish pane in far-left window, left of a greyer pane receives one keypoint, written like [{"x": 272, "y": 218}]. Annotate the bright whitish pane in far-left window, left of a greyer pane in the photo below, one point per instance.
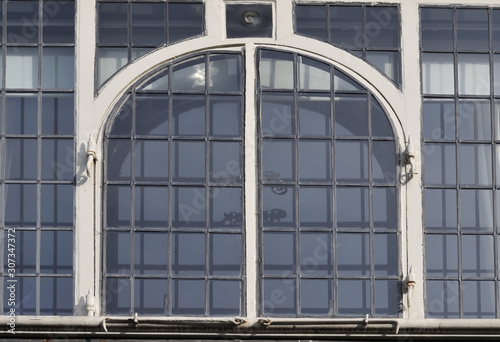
[{"x": 21, "y": 69}]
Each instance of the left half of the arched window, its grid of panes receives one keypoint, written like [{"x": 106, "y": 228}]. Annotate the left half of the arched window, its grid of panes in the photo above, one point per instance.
[{"x": 173, "y": 221}]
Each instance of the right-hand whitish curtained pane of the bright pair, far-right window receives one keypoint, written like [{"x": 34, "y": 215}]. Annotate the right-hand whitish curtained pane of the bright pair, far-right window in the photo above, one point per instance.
[{"x": 473, "y": 74}]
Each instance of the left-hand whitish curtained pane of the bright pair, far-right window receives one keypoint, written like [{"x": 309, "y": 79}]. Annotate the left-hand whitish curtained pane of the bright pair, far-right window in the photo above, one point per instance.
[{"x": 437, "y": 73}]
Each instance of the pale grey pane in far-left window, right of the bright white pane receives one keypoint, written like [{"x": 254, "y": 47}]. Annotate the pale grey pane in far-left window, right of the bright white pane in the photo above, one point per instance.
[{"x": 58, "y": 68}]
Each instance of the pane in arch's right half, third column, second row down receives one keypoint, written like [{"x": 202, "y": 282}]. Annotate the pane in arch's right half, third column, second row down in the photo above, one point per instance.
[{"x": 351, "y": 115}]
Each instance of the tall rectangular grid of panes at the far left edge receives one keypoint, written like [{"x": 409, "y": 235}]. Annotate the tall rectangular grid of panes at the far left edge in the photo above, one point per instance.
[{"x": 37, "y": 153}]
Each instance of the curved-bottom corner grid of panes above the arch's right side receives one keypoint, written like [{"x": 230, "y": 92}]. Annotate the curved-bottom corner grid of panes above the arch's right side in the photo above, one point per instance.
[{"x": 369, "y": 32}]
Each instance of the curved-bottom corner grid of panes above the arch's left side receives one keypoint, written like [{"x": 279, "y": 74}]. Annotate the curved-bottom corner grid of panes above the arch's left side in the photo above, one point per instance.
[{"x": 129, "y": 29}]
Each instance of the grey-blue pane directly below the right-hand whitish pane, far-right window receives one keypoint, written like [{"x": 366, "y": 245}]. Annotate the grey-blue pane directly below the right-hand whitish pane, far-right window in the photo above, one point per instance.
[{"x": 474, "y": 119}]
